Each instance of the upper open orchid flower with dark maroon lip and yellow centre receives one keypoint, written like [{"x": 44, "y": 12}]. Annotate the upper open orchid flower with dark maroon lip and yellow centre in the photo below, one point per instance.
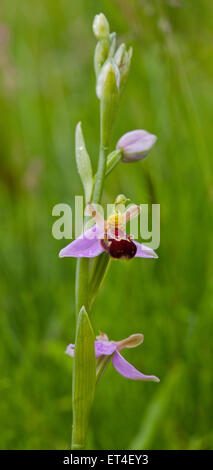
[{"x": 109, "y": 236}]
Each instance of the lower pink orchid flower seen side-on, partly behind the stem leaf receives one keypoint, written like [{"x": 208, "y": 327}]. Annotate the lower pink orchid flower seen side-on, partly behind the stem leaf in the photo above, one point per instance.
[{"x": 104, "y": 347}]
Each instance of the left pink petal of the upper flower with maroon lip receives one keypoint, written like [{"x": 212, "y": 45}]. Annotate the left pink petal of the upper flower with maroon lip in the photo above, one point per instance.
[{"x": 85, "y": 246}]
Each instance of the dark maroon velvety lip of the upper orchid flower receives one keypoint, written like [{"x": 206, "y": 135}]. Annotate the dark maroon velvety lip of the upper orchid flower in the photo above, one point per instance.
[{"x": 119, "y": 247}]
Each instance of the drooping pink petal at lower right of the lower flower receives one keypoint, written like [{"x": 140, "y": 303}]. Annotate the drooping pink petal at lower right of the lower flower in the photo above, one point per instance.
[{"x": 127, "y": 370}]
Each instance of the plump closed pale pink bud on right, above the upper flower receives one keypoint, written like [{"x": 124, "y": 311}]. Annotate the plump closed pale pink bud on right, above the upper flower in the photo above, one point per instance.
[{"x": 135, "y": 145}]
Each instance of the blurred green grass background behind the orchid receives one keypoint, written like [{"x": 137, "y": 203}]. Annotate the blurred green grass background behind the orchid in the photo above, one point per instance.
[{"x": 46, "y": 86}]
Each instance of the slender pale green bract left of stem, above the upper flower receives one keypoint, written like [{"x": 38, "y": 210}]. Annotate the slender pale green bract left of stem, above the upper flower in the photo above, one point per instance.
[{"x": 83, "y": 163}]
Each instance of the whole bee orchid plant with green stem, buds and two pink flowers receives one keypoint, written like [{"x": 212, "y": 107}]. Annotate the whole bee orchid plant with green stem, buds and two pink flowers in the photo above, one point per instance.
[{"x": 104, "y": 240}]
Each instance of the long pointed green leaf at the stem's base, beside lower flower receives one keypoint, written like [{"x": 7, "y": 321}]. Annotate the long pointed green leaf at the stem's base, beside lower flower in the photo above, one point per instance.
[{"x": 84, "y": 379}]
